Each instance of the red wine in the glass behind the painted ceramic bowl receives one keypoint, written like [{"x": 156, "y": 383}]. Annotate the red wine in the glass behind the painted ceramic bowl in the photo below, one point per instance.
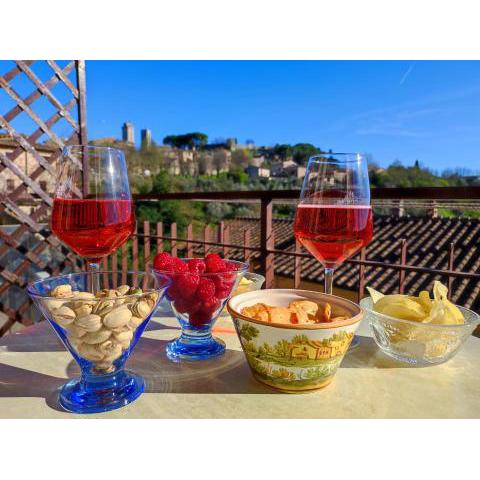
[{"x": 333, "y": 233}]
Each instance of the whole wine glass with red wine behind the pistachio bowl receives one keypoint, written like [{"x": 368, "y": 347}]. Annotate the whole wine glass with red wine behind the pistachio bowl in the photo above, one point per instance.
[{"x": 92, "y": 213}]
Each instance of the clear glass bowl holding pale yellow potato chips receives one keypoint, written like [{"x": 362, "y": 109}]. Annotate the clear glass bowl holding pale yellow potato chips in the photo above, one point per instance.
[{"x": 418, "y": 343}]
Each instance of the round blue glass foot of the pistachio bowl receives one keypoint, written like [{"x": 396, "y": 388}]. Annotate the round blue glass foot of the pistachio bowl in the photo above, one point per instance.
[{"x": 102, "y": 393}]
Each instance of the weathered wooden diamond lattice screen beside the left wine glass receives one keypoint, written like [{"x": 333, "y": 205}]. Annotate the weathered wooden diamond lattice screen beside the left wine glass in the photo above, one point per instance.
[{"x": 27, "y": 247}]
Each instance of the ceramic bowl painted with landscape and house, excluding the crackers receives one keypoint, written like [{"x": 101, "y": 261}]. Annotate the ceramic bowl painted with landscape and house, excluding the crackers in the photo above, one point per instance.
[{"x": 294, "y": 357}]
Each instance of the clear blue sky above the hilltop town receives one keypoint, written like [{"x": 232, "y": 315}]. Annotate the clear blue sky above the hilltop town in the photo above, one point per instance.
[{"x": 393, "y": 110}]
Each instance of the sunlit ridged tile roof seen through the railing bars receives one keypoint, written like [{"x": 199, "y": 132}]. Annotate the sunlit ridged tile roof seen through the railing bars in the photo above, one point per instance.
[{"x": 428, "y": 240}]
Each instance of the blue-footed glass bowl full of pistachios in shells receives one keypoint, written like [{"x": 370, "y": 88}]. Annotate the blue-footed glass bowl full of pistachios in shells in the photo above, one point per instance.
[{"x": 100, "y": 330}]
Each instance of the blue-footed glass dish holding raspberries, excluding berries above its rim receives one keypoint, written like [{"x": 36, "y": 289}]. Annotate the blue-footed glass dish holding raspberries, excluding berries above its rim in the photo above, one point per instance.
[{"x": 197, "y": 315}]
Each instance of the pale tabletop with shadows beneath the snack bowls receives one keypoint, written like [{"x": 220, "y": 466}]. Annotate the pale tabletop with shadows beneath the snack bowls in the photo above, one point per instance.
[{"x": 33, "y": 364}]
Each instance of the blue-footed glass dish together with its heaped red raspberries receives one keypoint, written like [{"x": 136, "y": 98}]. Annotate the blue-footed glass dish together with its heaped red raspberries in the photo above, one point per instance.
[{"x": 200, "y": 288}]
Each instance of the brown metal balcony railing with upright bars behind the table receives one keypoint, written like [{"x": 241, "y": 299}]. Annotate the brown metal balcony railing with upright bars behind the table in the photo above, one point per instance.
[{"x": 458, "y": 197}]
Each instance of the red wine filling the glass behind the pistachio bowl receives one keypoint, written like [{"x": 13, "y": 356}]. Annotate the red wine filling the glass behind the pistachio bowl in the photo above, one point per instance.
[{"x": 93, "y": 228}]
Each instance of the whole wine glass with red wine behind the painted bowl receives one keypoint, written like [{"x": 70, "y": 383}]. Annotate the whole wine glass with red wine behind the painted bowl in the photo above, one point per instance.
[{"x": 333, "y": 220}]
